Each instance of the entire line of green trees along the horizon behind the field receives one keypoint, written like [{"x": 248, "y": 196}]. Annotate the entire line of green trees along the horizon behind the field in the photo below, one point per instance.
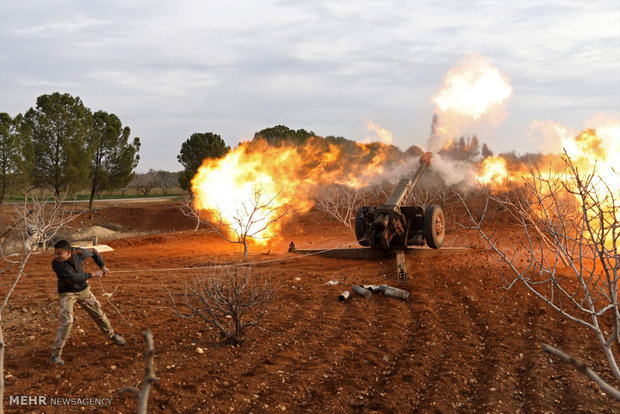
[{"x": 63, "y": 146}]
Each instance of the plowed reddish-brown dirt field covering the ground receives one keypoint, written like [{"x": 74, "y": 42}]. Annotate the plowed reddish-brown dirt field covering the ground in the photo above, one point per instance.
[{"x": 461, "y": 343}]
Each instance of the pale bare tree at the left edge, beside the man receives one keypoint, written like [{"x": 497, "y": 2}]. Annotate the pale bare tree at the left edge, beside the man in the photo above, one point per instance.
[{"x": 40, "y": 219}]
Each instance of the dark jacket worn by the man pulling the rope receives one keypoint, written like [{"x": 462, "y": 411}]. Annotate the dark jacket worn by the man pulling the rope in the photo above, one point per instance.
[{"x": 71, "y": 275}]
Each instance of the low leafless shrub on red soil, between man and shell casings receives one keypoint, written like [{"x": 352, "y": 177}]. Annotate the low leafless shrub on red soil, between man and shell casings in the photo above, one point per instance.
[{"x": 231, "y": 302}]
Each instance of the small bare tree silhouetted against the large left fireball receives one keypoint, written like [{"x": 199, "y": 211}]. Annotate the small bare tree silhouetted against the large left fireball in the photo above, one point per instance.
[{"x": 253, "y": 216}]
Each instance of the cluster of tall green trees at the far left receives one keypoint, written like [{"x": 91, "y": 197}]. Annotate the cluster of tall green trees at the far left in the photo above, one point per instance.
[{"x": 63, "y": 146}]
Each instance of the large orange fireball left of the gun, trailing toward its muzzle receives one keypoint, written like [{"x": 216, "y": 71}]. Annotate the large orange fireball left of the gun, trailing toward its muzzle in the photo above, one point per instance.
[{"x": 286, "y": 176}]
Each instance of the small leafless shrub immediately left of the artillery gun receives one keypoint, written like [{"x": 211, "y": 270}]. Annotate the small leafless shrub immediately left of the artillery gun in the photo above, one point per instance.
[{"x": 340, "y": 202}]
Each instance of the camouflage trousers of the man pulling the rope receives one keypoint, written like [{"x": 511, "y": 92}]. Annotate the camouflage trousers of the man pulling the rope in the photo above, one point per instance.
[{"x": 90, "y": 303}]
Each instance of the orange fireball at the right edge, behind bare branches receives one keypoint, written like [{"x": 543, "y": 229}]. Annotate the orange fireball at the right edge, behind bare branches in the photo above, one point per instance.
[{"x": 593, "y": 155}]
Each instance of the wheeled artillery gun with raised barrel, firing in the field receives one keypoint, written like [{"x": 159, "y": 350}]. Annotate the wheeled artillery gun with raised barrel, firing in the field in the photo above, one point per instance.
[{"x": 394, "y": 227}]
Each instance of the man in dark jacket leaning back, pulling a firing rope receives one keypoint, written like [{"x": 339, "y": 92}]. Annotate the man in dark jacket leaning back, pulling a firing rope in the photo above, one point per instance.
[{"x": 72, "y": 287}]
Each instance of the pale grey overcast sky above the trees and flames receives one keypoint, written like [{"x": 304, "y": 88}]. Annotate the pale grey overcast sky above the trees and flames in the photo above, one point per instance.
[{"x": 171, "y": 68}]
